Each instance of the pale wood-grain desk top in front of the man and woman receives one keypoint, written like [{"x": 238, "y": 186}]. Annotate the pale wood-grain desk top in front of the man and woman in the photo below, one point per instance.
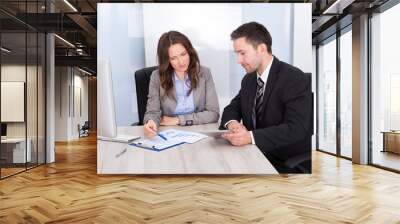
[{"x": 208, "y": 156}]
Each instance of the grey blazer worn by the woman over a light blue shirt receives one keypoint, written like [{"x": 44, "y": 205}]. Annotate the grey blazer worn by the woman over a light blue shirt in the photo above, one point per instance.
[{"x": 204, "y": 96}]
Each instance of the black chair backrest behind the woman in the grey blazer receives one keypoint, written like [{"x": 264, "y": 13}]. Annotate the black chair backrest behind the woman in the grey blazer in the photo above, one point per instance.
[{"x": 142, "y": 80}]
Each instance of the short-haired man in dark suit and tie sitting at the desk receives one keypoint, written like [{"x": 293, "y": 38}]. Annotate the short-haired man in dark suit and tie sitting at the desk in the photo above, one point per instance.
[{"x": 274, "y": 103}]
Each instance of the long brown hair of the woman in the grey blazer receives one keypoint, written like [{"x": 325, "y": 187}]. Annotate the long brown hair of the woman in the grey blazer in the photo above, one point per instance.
[{"x": 166, "y": 70}]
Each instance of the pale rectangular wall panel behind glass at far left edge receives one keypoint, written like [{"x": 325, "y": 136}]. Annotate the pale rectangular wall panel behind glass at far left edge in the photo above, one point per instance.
[{"x": 12, "y": 101}]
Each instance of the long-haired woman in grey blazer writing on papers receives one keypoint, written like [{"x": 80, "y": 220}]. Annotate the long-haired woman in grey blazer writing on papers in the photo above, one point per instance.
[{"x": 181, "y": 92}]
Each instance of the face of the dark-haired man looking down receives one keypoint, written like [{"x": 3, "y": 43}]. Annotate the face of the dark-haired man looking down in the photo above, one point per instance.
[{"x": 247, "y": 56}]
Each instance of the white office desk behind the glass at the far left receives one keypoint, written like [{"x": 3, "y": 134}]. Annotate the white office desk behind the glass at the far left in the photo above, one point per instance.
[{"x": 16, "y": 148}]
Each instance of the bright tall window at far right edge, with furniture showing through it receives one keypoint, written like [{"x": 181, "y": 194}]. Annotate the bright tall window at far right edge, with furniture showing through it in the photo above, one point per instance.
[{"x": 385, "y": 87}]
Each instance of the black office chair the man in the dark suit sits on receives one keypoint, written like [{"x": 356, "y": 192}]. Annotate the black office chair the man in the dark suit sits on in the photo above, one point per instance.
[{"x": 303, "y": 162}]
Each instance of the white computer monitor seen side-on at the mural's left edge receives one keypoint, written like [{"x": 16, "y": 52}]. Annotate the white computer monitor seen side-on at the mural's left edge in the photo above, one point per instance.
[{"x": 106, "y": 122}]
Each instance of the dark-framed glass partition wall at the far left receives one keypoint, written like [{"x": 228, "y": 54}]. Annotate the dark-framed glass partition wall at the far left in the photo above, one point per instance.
[{"x": 22, "y": 91}]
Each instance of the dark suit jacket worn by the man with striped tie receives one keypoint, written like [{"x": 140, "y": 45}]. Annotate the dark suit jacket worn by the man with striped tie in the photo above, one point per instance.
[{"x": 285, "y": 128}]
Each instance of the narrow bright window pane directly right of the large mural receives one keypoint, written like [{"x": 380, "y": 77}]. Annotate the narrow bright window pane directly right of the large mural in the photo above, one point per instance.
[{"x": 327, "y": 97}]
